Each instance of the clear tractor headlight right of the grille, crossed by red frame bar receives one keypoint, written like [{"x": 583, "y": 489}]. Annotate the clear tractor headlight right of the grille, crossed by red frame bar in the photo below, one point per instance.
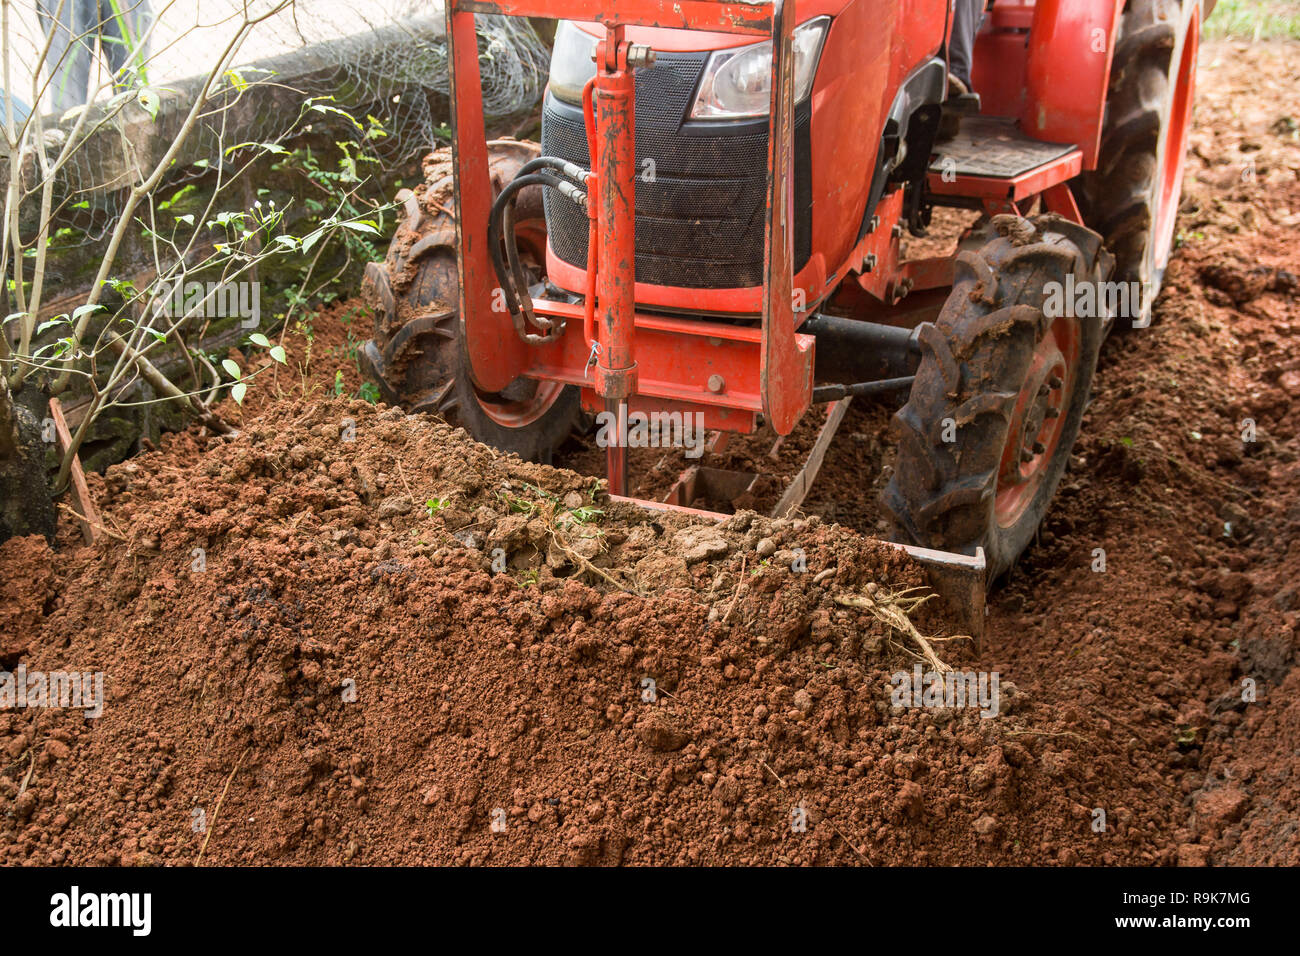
[{"x": 739, "y": 83}]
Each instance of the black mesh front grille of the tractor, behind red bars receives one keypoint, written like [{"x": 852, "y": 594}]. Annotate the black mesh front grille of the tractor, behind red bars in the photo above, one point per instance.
[{"x": 700, "y": 219}]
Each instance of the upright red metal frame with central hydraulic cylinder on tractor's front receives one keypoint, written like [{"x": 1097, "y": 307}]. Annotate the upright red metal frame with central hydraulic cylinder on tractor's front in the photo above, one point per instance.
[{"x": 639, "y": 356}]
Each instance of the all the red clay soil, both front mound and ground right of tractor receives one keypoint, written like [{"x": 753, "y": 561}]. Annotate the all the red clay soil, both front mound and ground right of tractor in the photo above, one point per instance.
[{"x": 350, "y": 680}]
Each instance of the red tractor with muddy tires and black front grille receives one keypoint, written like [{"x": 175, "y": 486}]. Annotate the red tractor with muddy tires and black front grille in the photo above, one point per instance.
[{"x": 713, "y": 224}]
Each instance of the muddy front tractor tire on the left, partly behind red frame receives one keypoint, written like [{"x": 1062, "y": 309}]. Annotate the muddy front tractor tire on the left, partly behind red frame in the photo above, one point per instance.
[{"x": 418, "y": 353}]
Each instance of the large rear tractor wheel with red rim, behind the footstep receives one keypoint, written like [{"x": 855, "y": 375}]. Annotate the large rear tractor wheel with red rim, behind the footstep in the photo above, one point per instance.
[{"x": 1133, "y": 197}]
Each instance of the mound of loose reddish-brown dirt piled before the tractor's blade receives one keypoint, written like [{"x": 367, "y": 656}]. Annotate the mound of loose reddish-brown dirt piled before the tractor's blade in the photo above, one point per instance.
[{"x": 348, "y": 678}]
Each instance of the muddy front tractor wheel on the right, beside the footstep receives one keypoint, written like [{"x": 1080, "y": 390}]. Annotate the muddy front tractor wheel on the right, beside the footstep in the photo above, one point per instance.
[{"x": 999, "y": 395}]
